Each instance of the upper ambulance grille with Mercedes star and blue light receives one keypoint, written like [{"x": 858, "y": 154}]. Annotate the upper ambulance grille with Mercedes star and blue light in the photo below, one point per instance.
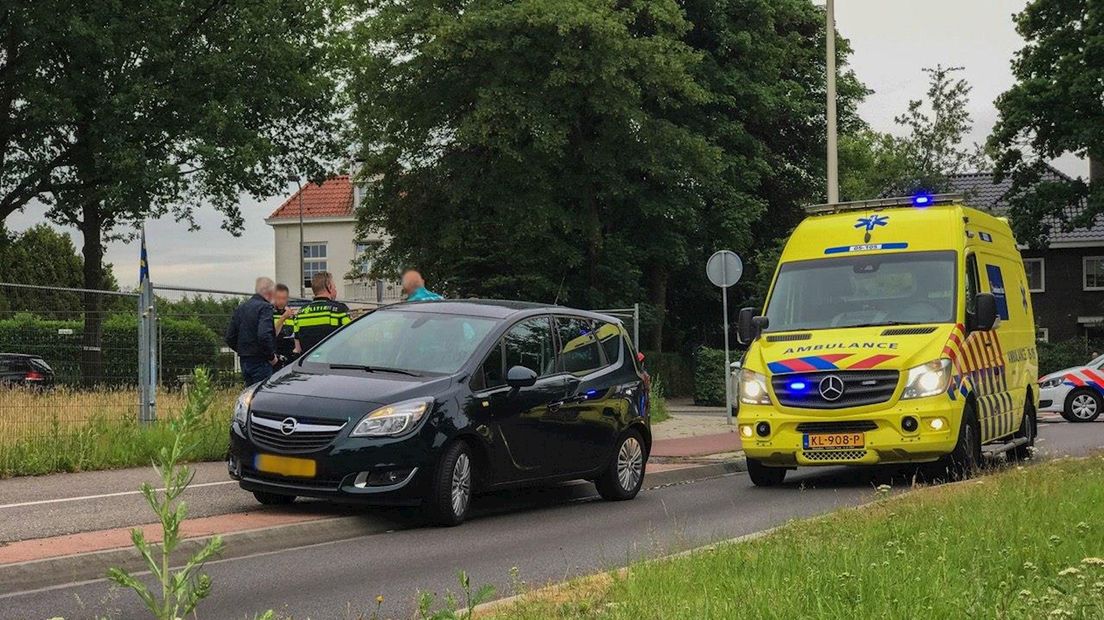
[{"x": 861, "y": 388}]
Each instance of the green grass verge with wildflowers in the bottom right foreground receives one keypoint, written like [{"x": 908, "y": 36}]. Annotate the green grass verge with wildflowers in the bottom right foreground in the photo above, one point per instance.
[{"x": 1024, "y": 543}]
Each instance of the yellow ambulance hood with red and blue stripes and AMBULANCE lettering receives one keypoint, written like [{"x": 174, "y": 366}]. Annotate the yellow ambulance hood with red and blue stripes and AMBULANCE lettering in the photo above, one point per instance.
[{"x": 877, "y": 348}]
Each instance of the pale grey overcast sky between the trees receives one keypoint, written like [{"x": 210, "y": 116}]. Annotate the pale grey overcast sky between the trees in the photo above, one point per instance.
[{"x": 894, "y": 40}]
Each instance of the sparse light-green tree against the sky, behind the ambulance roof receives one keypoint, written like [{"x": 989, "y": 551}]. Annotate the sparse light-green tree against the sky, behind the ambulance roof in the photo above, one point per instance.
[{"x": 933, "y": 148}]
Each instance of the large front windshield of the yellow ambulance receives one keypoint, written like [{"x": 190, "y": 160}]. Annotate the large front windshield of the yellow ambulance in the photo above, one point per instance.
[{"x": 901, "y": 288}]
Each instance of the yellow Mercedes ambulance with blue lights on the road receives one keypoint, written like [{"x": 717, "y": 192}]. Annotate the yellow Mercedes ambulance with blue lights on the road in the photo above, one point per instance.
[{"x": 895, "y": 332}]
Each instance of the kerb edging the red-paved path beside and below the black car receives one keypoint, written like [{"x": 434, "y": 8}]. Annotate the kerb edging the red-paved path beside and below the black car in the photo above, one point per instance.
[{"x": 54, "y": 572}]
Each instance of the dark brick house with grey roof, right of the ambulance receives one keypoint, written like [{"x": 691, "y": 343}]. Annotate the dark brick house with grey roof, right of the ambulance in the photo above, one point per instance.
[{"x": 1067, "y": 280}]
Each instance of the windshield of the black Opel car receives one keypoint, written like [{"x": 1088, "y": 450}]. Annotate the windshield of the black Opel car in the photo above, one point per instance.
[{"x": 415, "y": 343}]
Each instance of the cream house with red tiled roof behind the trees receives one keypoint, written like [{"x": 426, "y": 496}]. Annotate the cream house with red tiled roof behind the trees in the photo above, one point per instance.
[{"x": 320, "y": 225}]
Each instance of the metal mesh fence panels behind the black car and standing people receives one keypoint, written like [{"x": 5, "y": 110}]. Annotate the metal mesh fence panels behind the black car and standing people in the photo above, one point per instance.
[{"x": 72, "y": 358}]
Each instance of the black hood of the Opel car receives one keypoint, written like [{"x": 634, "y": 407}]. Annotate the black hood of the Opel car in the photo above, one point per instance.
[{"x": 339, "y": 397}]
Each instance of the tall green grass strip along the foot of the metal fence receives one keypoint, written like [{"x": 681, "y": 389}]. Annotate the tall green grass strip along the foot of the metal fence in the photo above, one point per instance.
[{"x": 104, "y": 439}]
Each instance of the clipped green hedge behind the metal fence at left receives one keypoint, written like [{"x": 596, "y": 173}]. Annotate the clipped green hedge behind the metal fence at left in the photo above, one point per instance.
[{"x": 185, "y": 345}]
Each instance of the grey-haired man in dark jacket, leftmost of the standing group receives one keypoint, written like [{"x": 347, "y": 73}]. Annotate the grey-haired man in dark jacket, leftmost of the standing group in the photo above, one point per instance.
[{"x": 252, "y": 334}]
